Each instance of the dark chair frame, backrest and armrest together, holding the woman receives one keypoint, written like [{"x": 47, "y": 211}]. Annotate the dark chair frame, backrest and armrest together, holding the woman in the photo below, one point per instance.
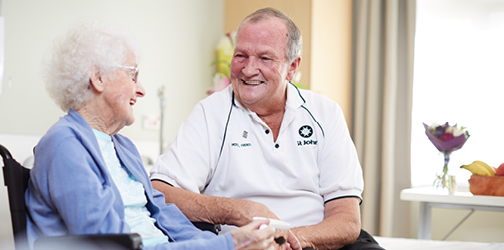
[{"x": 16, "y": 179}]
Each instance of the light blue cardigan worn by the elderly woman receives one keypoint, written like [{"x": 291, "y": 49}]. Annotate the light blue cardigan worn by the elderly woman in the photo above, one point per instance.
[{"x": 71, "y": 192}]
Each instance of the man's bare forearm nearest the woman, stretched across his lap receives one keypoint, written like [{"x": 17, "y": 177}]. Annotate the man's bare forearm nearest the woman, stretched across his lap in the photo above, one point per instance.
[{"x": 212, "y": 209}]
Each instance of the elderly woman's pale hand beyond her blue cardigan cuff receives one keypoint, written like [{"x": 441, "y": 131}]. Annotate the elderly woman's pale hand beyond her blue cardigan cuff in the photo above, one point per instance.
[{"x": 251, "y": 237}]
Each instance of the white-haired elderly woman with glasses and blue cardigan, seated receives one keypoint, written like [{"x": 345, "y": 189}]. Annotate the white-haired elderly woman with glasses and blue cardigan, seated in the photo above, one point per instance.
[{"x": 87, "y": 178}]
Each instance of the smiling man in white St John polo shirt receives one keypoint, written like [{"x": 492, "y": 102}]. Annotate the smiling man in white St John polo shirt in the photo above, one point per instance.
[{"x": 265, "y": 148}]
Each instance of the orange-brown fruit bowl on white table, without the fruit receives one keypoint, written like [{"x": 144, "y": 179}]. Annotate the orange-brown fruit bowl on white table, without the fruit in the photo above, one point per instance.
[{"x": 486, "y": 185}]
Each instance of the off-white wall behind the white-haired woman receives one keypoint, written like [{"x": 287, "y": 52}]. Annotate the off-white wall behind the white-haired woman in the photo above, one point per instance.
[{"x": 177, "y": 39}]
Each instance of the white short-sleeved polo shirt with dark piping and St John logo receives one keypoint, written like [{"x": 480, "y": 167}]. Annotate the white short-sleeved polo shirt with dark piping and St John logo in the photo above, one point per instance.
[{"x": 223, "y": 149}]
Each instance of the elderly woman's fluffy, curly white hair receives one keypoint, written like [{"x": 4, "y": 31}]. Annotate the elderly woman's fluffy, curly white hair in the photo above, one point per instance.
[{"x": 90, "y": 46}]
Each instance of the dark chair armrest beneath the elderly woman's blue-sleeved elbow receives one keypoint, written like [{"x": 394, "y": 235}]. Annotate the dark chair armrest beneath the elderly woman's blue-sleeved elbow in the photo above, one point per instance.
[{"x": 131, "y": 241}]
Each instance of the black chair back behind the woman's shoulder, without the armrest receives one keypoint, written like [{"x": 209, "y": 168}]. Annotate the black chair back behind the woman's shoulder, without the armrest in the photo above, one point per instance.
[{"x": 16, "y": 179}]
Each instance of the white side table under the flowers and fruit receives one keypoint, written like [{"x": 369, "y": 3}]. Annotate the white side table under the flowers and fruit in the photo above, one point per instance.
[{"x": 462, "y": 199}]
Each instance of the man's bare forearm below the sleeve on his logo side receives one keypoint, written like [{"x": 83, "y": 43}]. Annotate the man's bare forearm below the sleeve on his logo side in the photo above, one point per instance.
[{"x": 341, "y": 226}]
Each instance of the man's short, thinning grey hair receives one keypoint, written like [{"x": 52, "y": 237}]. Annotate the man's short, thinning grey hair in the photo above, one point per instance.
[{"x": 294, "y": 46}]
